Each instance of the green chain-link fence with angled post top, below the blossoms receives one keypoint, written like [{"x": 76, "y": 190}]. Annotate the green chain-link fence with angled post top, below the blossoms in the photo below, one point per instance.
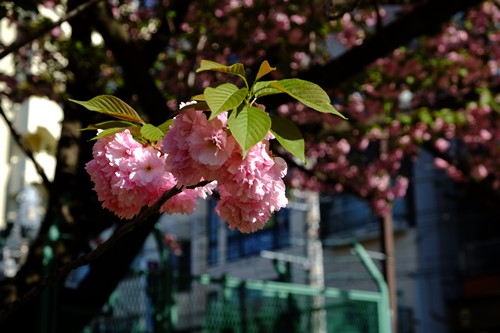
[{"x": 144, "y": 303}]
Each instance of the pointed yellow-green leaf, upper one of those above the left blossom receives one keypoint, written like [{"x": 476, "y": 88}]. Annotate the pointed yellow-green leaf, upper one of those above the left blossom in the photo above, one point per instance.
[{"x": 112, "y": 106}]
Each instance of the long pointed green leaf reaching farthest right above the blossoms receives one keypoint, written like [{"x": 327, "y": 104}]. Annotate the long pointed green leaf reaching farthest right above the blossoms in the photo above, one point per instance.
[{"x": 308, "y": 93}]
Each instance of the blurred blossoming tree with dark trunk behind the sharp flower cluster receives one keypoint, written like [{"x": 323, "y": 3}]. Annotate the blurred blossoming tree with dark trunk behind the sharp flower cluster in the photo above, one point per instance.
[{"x": 409, "y": 75}]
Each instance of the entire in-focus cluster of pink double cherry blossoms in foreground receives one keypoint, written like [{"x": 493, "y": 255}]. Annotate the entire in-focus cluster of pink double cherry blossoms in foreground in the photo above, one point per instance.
[{"x": 128, "y": 175}]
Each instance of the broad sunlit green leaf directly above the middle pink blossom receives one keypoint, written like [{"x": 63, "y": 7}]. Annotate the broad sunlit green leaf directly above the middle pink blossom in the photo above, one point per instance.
[{"x": 225, "y": 97}]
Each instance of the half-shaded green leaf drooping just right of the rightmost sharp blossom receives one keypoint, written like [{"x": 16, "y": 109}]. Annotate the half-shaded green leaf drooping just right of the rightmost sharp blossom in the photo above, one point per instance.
[{"x": 289, "y": 136}]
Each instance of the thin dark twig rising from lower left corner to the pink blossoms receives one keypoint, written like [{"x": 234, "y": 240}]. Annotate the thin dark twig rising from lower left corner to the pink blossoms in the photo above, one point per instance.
[{"x": 86, "y": 259}]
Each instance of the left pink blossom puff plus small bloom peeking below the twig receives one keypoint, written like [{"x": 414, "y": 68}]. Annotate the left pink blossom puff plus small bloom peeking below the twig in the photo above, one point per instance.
[{"x": 129, "y": 176}]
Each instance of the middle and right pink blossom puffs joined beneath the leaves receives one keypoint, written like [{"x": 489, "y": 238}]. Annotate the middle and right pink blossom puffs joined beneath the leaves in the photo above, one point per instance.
[{"x": 251, "y": 188}]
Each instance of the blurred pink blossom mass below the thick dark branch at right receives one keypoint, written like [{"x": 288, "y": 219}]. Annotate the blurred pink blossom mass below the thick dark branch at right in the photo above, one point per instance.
[{"x": 408, "y": 103}]
